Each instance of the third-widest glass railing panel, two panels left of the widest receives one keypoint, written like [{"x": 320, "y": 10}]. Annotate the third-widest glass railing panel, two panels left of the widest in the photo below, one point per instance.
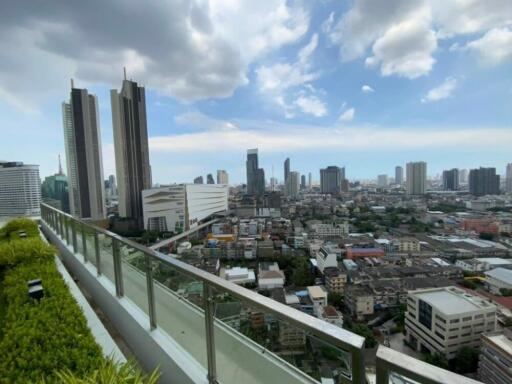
[{"x": 134, "y": 275}]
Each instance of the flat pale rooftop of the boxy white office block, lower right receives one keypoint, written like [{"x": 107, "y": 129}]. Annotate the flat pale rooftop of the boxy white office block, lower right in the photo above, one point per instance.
[{"x": 452, "y": 300}]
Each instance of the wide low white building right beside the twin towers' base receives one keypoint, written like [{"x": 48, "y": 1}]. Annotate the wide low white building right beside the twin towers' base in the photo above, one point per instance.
[{"x": 180, "y": 207}]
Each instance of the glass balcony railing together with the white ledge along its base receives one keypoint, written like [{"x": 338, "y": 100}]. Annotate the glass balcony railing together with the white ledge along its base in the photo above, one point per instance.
[{"x": 169, "y": 314}]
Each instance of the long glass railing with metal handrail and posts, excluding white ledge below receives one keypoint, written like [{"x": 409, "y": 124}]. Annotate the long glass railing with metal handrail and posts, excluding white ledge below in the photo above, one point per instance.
[{"x": 237, "y": 335}]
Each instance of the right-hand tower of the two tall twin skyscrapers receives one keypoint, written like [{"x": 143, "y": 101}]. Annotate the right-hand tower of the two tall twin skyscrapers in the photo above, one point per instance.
[{"x": 131, "y": 148}]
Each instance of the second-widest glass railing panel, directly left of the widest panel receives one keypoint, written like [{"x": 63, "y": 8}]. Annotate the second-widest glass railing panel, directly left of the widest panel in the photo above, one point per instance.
[{"x": 179, "y": 309}]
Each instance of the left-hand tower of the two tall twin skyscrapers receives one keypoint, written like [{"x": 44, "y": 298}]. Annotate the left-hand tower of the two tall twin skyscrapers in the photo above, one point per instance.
[{"x": 82, "y": 139}]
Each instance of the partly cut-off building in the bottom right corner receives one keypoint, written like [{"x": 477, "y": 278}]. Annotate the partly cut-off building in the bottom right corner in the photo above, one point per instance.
[{"x": 495, "y": 360}]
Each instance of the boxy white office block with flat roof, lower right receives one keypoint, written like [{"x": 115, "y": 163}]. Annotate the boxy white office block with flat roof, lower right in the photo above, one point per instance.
[{"x": 445, "y": 319}]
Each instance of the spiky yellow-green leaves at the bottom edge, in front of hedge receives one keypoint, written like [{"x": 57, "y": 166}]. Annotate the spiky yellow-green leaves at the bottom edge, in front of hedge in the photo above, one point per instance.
[{"x": 108, "y": 372}]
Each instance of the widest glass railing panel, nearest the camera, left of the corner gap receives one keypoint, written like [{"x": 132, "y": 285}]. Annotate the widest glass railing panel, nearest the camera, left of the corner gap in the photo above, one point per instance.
[{"x": 252, "y": 344}]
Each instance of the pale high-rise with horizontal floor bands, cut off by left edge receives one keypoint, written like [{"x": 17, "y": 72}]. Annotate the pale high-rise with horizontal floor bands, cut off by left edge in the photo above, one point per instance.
[{"x": 20, "y": 189}]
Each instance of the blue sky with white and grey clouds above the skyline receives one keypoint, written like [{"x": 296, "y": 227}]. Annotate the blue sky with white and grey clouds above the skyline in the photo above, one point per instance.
[{"x": 363, "y": 84}]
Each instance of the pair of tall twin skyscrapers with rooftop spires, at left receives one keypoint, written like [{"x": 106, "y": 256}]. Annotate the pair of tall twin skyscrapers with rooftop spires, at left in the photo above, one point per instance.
[{"x": 84, "y": 155}]
